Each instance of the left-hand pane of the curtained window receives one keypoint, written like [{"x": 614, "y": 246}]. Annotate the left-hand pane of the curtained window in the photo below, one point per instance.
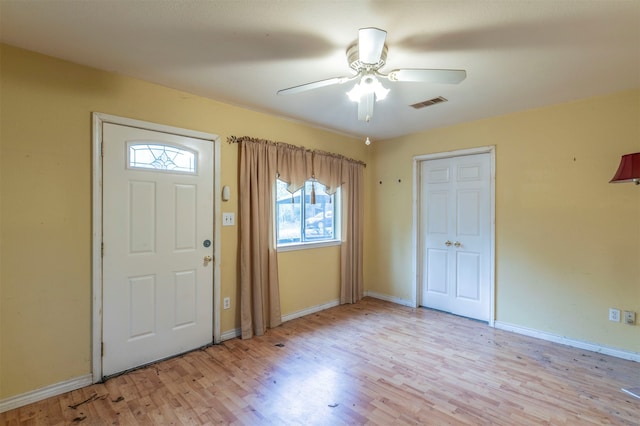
[{"x": 288, "y": 215}]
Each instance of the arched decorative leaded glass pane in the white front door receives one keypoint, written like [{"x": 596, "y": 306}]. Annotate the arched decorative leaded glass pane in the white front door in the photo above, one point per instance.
[{"x": 161, "y": 157}]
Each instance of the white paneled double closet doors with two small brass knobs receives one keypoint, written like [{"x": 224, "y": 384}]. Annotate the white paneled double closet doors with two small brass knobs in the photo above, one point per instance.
[{"x": 455, "y": 243}]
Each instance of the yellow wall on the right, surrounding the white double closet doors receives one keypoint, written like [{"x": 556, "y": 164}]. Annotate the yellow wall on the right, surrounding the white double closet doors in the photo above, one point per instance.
[{"x": 567, "y": 241}]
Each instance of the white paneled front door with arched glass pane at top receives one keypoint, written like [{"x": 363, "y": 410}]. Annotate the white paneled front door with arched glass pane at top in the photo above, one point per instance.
[{"x": 157, "y": 246}]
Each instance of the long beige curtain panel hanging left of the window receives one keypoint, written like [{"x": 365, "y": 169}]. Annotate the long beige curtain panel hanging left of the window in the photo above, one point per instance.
[{"x": 259, "y": 291}]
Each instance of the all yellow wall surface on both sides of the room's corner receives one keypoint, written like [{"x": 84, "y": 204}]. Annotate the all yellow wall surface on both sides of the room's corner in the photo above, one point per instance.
[{"x": 567, "y": 242}]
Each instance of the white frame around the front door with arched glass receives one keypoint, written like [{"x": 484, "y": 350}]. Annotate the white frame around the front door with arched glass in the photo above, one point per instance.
[{"x": 99, "y": 119}]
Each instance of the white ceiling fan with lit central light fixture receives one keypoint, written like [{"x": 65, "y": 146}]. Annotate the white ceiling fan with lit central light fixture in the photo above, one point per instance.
[{"x": 366, "y": 57}]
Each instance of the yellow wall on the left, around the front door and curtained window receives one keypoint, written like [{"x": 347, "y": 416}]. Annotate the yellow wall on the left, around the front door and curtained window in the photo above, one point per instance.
[{"x": 45, "y": 215}]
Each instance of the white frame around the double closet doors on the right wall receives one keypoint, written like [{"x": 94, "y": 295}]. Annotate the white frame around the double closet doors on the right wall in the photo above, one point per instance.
[{"x": 417, "y": 253}]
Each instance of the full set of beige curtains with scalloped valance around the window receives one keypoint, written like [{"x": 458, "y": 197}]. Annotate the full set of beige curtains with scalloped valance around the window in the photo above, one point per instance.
[{"x": 260, "y": 162}]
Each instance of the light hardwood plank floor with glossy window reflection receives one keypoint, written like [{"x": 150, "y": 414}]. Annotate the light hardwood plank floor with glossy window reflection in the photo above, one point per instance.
[{"x": 374, "y": 363}]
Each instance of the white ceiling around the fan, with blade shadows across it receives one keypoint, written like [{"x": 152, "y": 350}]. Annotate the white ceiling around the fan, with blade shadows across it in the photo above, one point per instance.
[{"x": 518, "y": 54}]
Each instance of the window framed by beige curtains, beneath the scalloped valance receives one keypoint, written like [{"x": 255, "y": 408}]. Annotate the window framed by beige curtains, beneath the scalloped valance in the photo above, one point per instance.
[{"x": 299, "y": 221}]
